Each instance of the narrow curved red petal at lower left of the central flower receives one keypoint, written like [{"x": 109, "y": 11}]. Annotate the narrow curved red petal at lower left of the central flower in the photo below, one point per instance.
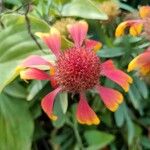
[{"x": 48, "y": 102}]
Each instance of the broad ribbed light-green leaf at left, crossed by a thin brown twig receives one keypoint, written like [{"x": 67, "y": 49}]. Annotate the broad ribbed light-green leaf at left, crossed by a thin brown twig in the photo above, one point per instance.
[{"x": 16, "y": 44}]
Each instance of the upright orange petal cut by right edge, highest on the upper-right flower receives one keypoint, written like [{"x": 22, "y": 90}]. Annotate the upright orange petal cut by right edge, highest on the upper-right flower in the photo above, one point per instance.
[{"x": 144, "y": 11}]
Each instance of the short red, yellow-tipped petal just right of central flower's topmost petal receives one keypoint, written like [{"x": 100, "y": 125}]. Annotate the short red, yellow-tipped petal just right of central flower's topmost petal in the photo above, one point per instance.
[{"x": 93, "y": 45}]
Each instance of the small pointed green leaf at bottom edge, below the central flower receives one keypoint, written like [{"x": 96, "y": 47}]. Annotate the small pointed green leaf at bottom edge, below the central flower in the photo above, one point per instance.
[{"x": 97, "y": 139}]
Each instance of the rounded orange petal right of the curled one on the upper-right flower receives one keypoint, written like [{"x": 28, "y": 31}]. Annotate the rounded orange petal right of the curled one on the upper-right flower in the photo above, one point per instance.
[{"x": 136, "y": 29}]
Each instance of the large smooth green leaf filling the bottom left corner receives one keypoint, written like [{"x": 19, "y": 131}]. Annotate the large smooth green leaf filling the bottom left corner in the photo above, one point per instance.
[{"x": 16, "y": 124}]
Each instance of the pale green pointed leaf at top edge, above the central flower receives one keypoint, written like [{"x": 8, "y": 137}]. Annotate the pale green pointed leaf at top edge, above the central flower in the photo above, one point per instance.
[{"x": 84, "y": 9}]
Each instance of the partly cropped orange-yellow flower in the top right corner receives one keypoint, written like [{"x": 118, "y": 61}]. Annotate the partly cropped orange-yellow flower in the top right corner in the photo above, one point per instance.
[{"x": 135, "y": 26}]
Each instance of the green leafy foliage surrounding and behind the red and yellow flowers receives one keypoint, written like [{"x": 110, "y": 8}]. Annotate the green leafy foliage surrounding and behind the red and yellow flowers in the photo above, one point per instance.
[{"x": 23, "y": 125}]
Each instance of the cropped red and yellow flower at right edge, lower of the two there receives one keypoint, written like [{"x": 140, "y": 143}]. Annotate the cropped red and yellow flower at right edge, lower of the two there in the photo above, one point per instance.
[{"x": 141, "y": 63}]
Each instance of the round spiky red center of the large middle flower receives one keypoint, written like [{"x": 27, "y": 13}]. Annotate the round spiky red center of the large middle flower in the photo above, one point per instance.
[{"x": 77, "y": 70}]
